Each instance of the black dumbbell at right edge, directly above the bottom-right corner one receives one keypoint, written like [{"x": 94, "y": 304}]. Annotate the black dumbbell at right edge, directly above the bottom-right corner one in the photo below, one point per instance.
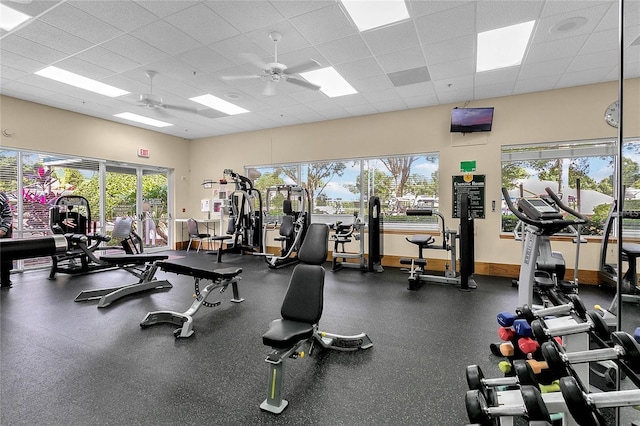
[{"x": 624, "y": 348}]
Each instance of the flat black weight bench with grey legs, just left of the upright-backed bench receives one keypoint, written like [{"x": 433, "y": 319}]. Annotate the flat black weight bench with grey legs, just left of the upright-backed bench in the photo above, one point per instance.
[{"x": 220, "y": 278}]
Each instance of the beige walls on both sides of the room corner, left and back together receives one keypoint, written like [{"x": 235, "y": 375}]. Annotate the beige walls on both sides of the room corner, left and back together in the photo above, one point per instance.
[{"x": 566, "y": 114}]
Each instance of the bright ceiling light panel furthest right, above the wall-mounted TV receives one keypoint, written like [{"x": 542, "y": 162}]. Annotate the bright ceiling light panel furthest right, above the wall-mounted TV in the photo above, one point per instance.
[{"x": 503, "y": 47}]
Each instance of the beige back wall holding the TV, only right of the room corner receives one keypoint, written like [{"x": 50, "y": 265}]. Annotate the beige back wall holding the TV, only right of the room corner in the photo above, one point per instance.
[{"x": 567, "y": 114}]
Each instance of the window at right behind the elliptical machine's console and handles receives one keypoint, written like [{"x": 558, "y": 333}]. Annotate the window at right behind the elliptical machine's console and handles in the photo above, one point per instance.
[{"x": 528, "y": 169}]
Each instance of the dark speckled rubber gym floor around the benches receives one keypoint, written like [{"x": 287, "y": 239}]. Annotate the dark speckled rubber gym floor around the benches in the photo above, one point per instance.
[{"x": 68, "y": 363}]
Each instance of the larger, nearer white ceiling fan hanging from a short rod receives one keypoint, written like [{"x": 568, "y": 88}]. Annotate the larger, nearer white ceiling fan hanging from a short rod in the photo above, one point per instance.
[{"x": 275, "y": 72}]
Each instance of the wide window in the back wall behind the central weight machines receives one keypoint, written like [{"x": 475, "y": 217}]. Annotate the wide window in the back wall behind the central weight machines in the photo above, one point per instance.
[{"x": 343, "y": 187}]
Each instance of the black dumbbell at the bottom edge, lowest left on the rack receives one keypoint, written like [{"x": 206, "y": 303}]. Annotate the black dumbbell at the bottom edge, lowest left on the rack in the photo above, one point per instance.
[{"x": 481, "y": 413}]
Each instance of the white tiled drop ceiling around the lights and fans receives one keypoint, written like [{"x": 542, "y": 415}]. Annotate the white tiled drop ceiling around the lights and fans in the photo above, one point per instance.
[{"x": 193, "y": 44}]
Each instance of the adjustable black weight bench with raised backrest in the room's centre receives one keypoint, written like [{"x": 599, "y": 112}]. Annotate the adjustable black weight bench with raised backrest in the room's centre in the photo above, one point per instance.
[{"x": 301, "y": 311}]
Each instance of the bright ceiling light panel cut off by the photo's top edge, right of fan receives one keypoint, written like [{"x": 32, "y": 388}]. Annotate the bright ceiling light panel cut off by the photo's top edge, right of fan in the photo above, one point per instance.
[{"x": 368, "y": 14}]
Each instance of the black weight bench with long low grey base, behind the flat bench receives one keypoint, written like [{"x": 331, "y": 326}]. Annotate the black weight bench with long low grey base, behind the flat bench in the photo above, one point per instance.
[{"x": 143, "y": 266}]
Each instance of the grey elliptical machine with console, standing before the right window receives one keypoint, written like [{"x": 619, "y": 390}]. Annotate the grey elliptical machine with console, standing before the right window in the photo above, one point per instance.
[{"x": 542, "y": 270}]
